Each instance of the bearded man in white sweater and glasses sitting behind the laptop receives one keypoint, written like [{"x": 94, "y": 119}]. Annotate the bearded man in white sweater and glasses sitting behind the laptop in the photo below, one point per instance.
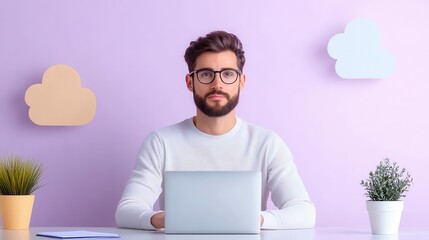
[{"x": 215, "y": 139}]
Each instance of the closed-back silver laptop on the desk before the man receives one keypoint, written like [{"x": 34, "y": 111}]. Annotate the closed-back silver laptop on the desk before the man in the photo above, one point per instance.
[{"x": 212, "y": 202}]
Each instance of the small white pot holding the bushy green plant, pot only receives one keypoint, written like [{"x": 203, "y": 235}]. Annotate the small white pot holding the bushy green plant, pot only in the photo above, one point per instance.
[{"x": 385, "y": 216}]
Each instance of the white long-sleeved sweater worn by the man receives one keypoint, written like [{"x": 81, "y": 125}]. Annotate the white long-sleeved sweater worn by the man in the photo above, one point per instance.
[{"x": 245, "y": 147}]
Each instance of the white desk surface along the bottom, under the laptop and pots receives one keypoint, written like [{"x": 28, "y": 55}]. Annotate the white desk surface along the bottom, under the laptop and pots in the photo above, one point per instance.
[{"x": 308, "y": 234}]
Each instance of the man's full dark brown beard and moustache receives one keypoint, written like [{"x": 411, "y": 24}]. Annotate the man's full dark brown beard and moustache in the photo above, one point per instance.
[{"x": 217, "y": 110}]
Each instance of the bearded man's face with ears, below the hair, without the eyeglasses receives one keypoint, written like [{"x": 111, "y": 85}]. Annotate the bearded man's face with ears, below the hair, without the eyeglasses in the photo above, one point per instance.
[{"x": 217, "y": 98}]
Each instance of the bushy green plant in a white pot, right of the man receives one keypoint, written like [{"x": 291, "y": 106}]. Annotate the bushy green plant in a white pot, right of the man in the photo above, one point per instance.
[{"x": 385, "y": 187}]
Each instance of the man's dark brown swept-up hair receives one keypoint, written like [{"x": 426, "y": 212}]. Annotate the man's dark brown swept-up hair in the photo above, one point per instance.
[{"x": 217, "y": 41}]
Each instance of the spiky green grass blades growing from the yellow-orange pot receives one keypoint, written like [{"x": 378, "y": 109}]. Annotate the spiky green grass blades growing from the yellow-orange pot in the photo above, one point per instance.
[{"x": 19, "y": 176}]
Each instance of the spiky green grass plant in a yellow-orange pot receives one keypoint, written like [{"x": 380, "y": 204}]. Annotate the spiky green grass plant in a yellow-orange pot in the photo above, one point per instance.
[{"x": 19, "y": 178}]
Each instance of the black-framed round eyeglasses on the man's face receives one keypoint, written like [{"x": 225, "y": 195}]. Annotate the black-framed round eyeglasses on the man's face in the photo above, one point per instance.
[{"x": 206, "y": 76}]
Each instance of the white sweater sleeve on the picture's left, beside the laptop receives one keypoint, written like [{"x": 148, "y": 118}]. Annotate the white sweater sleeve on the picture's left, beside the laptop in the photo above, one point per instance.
[{"x": 143, "y": 188}]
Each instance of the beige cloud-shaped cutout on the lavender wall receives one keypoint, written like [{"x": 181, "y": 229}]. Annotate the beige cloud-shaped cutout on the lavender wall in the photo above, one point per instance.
[{"x": 60, "y": 100}]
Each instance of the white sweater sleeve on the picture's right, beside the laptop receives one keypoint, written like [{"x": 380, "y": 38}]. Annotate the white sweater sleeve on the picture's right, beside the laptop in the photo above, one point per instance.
[{"x": 288, "y": 193}]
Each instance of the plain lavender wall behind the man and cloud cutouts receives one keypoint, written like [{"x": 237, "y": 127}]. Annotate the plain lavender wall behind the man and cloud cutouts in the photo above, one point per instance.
[{"x": 129, "y": 53}]
